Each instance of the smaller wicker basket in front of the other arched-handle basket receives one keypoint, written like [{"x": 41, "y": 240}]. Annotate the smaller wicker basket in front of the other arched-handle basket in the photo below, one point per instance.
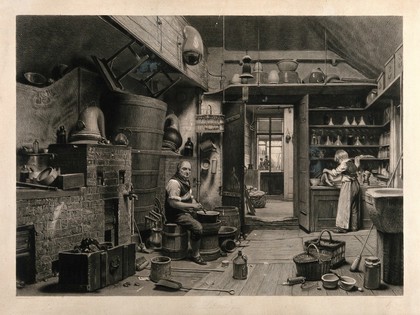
[{"x": 312, "y": 266}]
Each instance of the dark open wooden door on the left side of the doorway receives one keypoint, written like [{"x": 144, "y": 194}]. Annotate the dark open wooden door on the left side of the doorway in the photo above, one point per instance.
[{"x": 233, "y": 158}]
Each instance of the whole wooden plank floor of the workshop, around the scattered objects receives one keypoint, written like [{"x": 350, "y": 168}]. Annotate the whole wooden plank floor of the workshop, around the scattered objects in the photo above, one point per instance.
[{"x": 270, "y": 262}]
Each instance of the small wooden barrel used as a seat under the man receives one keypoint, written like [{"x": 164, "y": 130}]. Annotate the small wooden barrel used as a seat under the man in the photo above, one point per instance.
[{"x": 174, "y": 241}]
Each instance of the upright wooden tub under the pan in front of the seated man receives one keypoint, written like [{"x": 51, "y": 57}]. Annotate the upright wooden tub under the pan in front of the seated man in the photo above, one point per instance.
[{"x": 209, "y": 246}]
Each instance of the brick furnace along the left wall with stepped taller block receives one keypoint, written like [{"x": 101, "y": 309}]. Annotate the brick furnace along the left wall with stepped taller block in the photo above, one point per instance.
[{"x": 63, "y": 218}]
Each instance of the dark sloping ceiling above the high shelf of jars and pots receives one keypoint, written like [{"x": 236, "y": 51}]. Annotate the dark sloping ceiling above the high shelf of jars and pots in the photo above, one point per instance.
[{"x": 365, "y": 42}]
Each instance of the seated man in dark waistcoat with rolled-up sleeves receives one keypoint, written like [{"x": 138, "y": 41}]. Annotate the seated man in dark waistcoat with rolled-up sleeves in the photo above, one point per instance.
[{"x": 180, "y": 207}]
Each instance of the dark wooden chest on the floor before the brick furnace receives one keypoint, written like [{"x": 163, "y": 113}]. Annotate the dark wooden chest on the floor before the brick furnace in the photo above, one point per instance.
[{"x": 92, "y": 271}]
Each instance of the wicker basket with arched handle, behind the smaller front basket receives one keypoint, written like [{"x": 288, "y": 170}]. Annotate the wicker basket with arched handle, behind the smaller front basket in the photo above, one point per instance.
[{"x": 336, "y": 248}]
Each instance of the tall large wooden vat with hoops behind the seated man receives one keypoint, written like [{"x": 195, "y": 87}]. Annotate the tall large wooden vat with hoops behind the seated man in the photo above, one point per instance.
[{"x": 142, "y": 120}]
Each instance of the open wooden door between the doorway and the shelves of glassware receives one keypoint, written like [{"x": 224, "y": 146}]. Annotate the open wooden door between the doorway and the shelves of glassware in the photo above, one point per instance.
[{"x": 301, "y": 170}]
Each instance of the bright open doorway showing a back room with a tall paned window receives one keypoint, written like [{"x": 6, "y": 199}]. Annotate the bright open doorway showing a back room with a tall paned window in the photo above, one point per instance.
[{"x": 269, "y": 160}]
